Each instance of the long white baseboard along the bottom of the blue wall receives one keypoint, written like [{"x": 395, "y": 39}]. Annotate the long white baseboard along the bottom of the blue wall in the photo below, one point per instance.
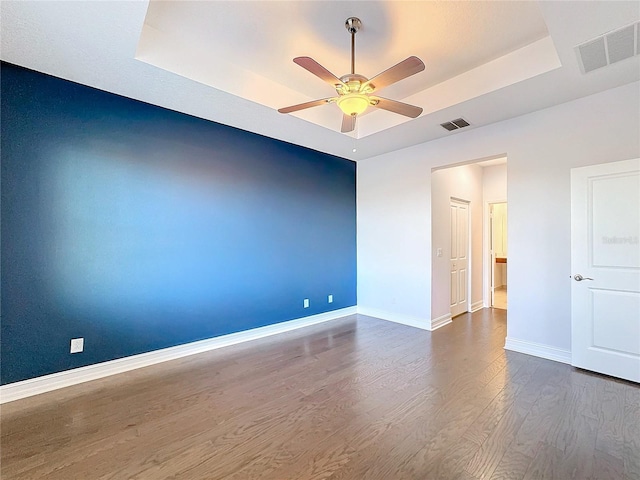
[{"x": 54, "y": 381}]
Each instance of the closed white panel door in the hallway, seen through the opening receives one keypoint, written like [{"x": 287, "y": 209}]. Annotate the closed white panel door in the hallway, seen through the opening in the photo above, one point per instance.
[{"x": 459, "y": 256}]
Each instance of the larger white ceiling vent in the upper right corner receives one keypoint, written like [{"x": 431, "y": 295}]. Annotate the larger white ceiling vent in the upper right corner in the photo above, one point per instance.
[{"x": 610, "y": 48}]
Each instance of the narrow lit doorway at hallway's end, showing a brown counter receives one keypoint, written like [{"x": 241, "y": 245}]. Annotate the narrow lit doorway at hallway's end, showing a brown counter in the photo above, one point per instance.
[{"x": 498, "y": 254}]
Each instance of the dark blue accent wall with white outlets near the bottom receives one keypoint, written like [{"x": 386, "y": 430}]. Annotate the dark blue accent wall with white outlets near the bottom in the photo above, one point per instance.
[{"x": 139, "y": 228}]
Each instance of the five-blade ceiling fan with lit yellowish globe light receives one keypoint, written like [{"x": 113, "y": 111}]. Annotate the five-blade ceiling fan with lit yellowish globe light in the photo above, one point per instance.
[{"x": 356, "y": 92}]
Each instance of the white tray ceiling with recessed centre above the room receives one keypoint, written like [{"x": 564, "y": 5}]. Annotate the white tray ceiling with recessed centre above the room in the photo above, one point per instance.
[{"x": 231, "y": 61}]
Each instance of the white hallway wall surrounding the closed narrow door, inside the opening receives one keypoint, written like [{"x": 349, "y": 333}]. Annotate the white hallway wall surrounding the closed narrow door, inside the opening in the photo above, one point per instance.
[{"x": 465, "y": 183}]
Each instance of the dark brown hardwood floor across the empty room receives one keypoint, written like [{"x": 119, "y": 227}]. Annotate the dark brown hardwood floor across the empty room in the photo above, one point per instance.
[{"x": 356, "y": 398}]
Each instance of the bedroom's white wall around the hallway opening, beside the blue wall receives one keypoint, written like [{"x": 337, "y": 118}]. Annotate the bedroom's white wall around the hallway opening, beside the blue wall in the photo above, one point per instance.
[{"x": 394, "y": 209}]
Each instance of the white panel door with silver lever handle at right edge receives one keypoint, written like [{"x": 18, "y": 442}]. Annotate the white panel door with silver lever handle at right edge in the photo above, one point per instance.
[{"x": 605, "y": 266}]
